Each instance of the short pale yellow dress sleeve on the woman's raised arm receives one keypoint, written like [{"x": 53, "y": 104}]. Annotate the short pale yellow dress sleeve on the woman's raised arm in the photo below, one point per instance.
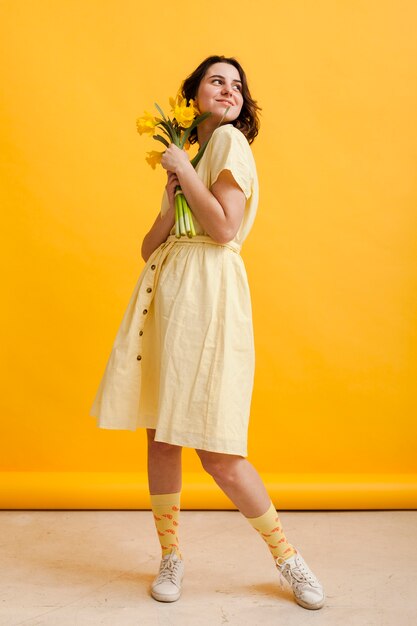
[{"x": 230, "y": 150}]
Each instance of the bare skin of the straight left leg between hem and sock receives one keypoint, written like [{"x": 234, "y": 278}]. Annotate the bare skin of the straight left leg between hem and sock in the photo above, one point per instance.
[{"x": 164, "y": 466}]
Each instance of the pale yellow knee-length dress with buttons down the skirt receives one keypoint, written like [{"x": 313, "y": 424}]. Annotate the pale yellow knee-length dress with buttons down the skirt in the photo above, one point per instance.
[{"x": 183, "y": 358}]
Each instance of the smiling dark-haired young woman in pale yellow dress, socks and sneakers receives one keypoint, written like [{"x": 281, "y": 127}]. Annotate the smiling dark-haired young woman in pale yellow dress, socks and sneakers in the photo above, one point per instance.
[{"x": 182, "y": 364}]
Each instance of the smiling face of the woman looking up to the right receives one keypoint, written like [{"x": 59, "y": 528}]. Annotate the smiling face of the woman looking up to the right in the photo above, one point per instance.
[{"x": 221, "y": 87}]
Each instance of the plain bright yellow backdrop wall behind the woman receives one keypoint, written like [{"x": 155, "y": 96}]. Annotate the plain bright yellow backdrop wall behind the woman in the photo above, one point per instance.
[{"x": 331, "y": 258}]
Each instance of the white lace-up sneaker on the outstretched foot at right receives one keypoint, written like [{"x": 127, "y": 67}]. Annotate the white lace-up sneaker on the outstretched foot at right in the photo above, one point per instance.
[{"x": 308, "y": 591}]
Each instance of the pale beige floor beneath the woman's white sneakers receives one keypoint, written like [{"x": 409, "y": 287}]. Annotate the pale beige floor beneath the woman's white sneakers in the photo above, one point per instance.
[{"x": 80, "y": 568}]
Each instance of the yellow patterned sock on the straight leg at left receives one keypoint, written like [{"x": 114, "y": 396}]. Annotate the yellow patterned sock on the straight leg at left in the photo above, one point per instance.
[{"x": 166, "y": 508}]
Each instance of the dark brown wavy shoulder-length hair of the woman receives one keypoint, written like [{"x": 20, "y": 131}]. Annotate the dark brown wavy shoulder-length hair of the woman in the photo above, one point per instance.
[{"x": 248, "y": 120}]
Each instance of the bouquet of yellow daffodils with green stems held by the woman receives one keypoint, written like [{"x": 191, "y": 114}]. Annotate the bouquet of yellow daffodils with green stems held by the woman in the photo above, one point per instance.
[{"x": 185, "y": 117}]
